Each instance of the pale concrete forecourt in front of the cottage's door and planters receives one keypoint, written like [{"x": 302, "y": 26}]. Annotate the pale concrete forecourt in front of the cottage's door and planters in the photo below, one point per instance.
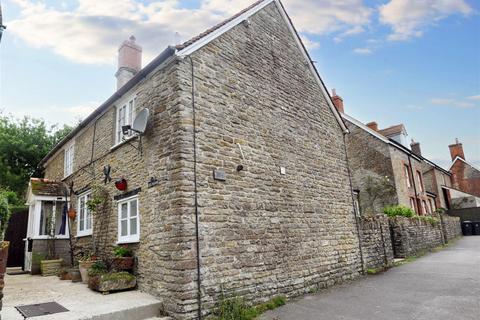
[{"x": 81, "y": 302}]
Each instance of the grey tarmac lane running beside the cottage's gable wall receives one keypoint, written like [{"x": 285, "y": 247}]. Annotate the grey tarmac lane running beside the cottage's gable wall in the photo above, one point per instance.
[{"x": 443, "y": 285}]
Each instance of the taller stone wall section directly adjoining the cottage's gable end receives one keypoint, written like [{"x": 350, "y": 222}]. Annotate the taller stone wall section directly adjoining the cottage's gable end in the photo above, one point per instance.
[{"x": 376, "y": 242}]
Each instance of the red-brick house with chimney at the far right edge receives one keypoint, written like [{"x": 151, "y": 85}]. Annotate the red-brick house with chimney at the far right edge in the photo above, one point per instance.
[{"x": 465, "y": 176}]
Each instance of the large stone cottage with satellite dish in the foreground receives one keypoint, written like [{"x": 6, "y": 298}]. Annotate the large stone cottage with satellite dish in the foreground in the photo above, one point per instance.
[{"x": 239, "y": 183}]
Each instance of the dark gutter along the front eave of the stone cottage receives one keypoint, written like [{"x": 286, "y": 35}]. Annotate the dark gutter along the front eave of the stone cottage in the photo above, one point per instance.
[{"x": 161, "y": 58}]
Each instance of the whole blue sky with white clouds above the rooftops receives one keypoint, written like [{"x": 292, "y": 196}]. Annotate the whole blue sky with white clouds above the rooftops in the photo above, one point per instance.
[{"x": 393, "y": 61}]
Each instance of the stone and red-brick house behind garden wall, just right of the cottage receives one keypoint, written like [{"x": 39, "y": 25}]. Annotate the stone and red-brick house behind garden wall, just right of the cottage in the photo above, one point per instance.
[{"x": 377, "y": 155}]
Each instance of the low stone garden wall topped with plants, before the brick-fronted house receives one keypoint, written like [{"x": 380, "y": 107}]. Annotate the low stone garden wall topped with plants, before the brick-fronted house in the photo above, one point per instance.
[{"x": 411, "y": 236}]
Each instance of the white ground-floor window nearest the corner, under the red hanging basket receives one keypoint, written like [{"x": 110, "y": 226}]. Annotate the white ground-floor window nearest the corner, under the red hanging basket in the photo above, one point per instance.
[{"x": 128, "y": 220}]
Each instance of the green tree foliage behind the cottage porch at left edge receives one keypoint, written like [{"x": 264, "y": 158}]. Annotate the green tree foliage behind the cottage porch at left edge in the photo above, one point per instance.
[{"x": 23, "y": 144}]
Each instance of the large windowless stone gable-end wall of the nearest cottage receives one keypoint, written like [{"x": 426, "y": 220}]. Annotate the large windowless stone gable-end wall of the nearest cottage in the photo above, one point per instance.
[{"x": 265, "y": 233}]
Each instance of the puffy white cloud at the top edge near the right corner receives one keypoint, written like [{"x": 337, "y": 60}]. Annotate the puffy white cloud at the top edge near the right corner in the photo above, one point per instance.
[{"x": 408, "y": 18}]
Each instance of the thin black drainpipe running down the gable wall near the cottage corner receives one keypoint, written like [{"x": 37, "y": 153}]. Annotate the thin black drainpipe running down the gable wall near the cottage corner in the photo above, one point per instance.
[{"x": 197, "y": 236}]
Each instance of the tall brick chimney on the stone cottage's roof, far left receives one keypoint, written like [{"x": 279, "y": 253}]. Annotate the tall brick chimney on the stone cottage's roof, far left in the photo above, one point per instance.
[{"x": 129, "y": 61}]
